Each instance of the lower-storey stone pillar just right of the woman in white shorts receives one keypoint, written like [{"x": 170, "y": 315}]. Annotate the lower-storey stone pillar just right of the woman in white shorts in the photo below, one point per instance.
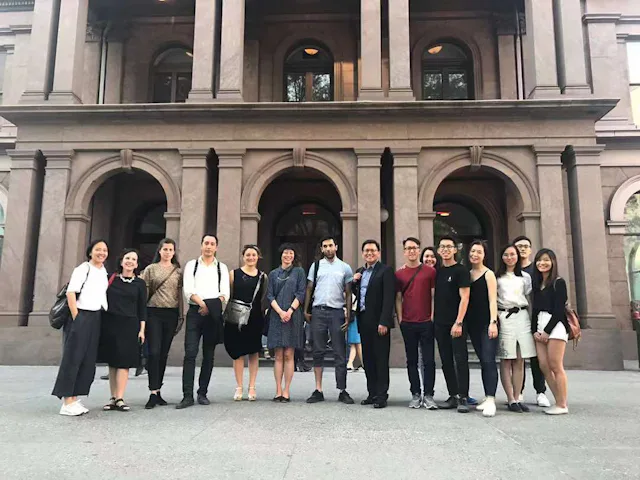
[{"x": 589, "y": 243}]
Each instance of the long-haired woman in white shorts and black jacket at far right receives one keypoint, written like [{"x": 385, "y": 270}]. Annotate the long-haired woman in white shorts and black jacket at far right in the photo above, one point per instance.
[{"x": 550, "y": 326}]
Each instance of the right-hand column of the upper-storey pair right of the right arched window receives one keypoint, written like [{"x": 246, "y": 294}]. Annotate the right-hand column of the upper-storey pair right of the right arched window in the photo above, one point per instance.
[{"x": 572, "y": 72}]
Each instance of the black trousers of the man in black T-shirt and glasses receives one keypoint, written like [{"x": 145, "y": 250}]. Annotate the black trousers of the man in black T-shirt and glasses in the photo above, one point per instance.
[{"x": 455, "y": 359}]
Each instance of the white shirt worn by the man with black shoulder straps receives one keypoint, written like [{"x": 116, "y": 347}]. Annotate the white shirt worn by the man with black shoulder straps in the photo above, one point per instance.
[{"x": 205, "y": 283}]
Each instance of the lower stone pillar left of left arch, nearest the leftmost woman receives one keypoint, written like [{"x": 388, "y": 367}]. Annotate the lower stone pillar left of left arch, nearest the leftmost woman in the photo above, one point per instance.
[{"x": 52, "y": 235}]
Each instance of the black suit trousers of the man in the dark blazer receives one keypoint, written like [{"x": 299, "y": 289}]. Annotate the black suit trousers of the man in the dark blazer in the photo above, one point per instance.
[{"x": 375, "y": 356}]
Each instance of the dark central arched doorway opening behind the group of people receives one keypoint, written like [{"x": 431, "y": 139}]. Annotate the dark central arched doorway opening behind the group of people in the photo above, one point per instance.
[{"x": 300, "y": 207}]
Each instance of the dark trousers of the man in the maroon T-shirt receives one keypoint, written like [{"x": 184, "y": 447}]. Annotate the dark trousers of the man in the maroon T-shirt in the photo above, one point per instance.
[{"x": 420, "y": 336}]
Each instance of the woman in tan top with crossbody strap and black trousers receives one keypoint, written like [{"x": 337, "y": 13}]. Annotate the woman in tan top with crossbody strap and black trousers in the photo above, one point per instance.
[{"x": 164, "y": 313}]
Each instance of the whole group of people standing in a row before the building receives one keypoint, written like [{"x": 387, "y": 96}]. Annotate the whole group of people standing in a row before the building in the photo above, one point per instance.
[{"x": 512, "y": 314}]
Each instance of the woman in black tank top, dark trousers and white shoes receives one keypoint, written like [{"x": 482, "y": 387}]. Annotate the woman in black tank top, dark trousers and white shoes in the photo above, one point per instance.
[{"x": 481, "y": 323}]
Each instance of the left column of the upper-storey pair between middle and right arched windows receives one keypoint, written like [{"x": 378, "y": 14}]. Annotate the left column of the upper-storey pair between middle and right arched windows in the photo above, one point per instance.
[{"x": 370, "y": 51}]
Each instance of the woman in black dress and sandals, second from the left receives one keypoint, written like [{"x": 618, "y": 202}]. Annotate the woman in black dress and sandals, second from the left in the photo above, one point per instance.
[{"x": 123, "y": 327}]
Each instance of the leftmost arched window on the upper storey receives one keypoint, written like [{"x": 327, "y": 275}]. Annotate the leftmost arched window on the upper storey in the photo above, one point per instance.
[{"x": 171, "y": 75}]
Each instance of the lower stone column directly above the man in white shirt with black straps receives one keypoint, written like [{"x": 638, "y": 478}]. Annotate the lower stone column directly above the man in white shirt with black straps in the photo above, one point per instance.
[{"x": 195, "y": 173}]
